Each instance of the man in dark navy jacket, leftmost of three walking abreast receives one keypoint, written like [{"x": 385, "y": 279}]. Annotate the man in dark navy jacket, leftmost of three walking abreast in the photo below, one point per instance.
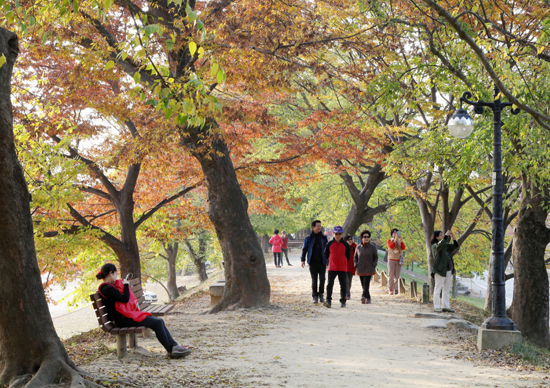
[{"x": 314, "y": 249}]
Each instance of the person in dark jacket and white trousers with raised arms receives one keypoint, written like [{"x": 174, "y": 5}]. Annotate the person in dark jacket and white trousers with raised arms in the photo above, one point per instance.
[{"x": 443, "y": 269}]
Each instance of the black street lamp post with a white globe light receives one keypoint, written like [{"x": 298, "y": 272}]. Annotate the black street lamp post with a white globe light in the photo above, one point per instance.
[{"x": 461, "y": 125}]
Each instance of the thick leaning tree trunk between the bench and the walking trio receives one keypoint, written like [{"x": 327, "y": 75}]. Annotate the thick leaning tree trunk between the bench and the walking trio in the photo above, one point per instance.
[{"x": 246, "y": 283}]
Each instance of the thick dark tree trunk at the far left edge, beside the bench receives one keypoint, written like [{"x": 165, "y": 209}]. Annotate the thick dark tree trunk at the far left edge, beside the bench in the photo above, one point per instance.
[{"x": 29, "y": 344}]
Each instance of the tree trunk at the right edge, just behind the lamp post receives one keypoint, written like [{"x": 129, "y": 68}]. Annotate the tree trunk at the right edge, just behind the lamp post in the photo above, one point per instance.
[{"x": 529, "y": 308}]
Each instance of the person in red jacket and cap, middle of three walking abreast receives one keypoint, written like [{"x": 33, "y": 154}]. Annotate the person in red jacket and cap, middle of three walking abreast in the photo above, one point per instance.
[{"x": 338, "y": 253}]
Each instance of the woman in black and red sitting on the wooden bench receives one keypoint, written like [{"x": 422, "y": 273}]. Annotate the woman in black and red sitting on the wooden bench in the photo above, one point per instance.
[{"x": 110, "y": 295}]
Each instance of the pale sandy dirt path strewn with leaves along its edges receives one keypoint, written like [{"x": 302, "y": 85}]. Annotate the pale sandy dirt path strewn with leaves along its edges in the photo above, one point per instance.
[{"x": 302, "y": 345}]
